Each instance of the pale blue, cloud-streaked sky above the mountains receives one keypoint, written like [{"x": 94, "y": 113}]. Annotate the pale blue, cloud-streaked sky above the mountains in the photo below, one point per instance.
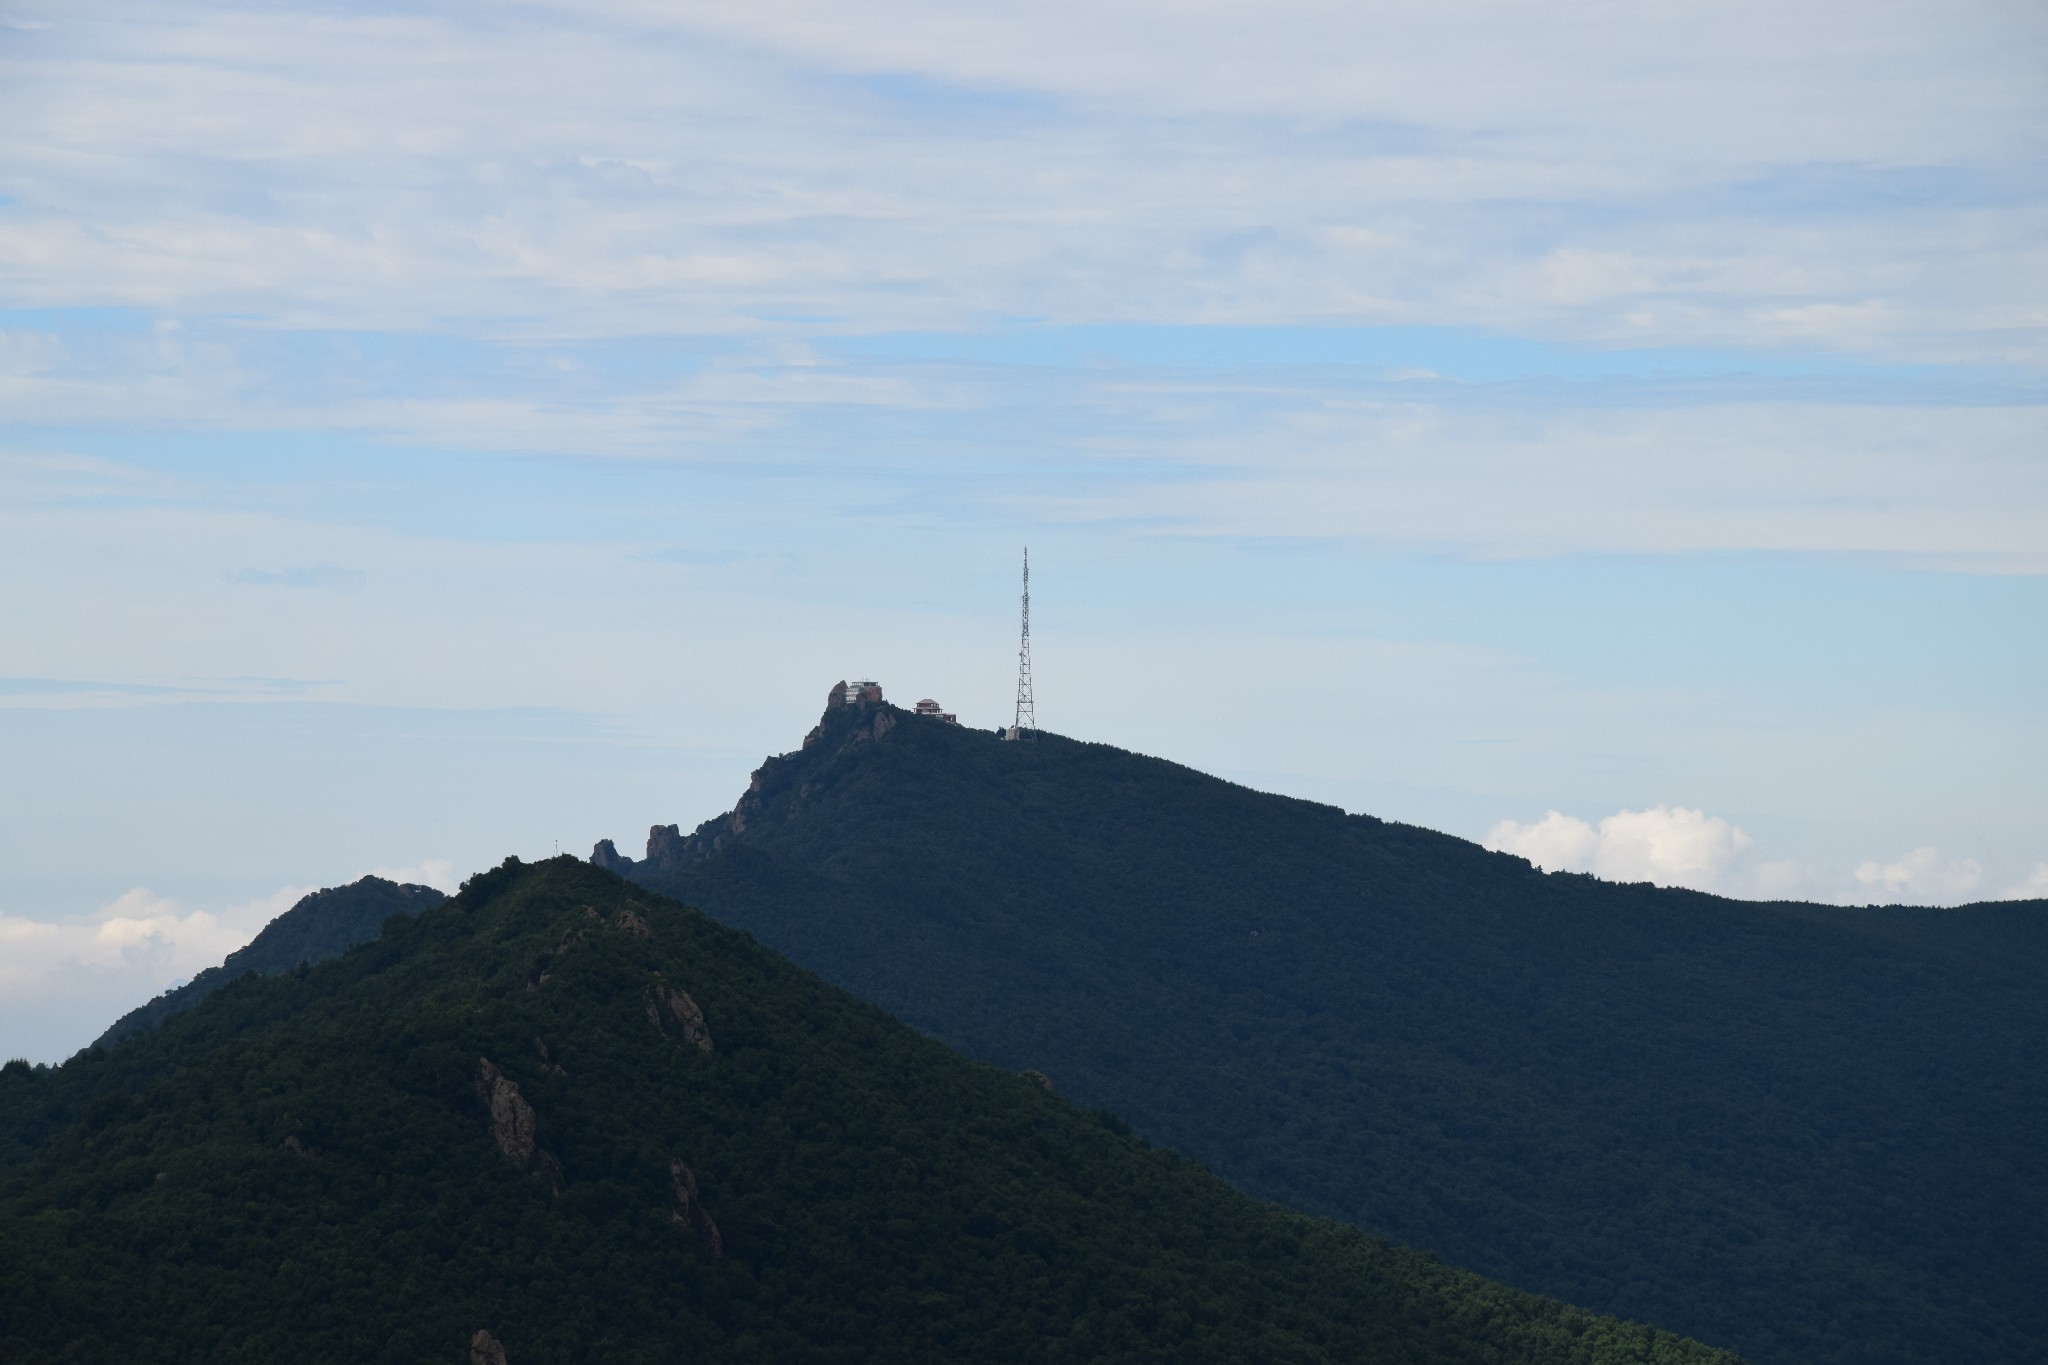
[{"x": 429, "y": 433}]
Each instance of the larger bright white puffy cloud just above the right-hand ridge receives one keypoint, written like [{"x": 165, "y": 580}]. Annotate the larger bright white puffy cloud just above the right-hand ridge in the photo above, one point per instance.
[{"x": 1670, "y": 846}]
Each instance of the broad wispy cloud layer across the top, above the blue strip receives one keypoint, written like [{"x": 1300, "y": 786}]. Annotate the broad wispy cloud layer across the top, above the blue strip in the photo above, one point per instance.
[{"x": 1752, "y": 175}]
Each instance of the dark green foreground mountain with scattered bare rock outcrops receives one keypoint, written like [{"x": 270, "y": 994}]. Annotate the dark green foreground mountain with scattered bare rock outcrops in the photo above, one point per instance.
[{"x": 560, "y": 1118}]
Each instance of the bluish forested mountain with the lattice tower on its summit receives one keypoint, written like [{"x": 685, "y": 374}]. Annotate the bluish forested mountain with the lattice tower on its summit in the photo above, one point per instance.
[{"x": 1805, "y": 1133}]
